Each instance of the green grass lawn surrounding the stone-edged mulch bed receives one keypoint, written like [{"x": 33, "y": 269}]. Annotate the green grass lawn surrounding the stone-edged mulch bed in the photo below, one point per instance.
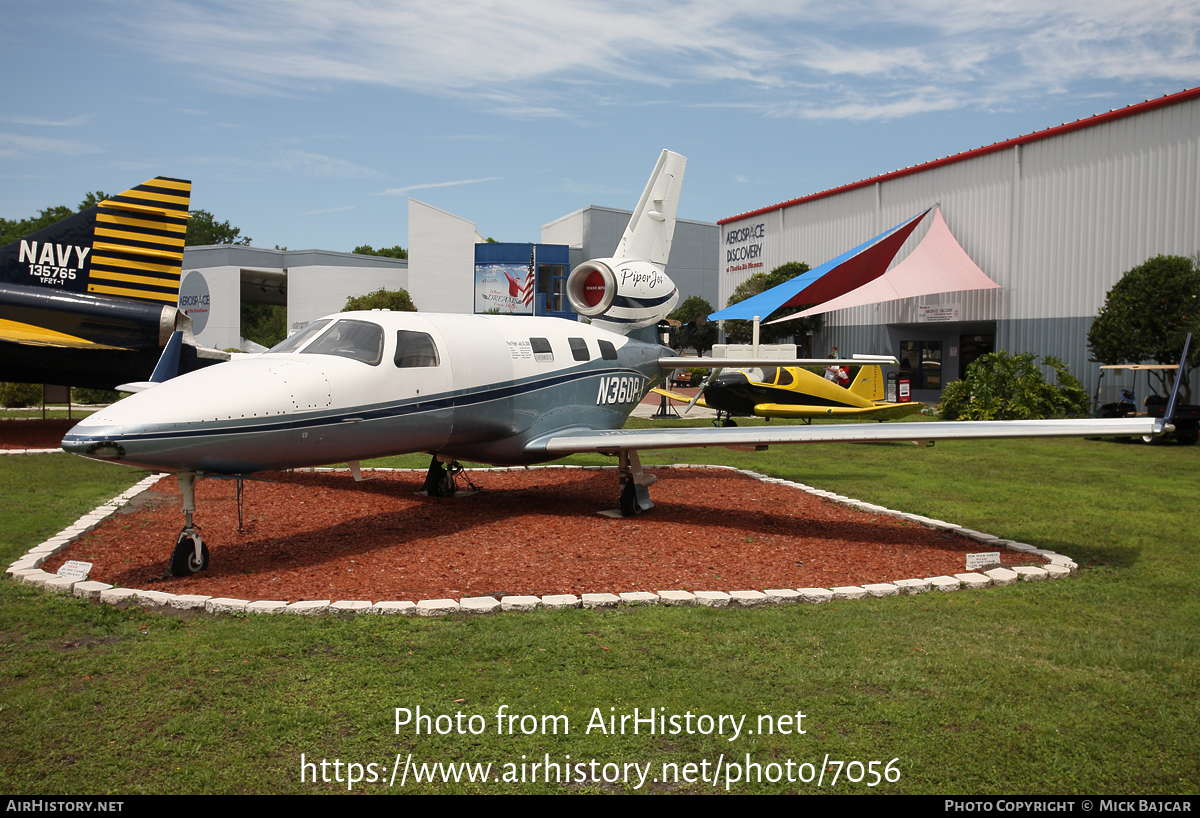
[{"x": 1084, "y": 685}]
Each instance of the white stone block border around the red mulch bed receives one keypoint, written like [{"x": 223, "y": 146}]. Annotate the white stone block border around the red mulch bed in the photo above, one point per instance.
[{"x": 28, "y": 570}]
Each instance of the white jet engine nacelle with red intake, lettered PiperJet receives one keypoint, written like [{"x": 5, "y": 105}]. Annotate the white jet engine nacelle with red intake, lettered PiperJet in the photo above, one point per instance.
[{"x": 621, "y": 296}]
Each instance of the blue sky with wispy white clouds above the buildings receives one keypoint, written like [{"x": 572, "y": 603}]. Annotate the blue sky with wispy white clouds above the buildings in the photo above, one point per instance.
[{"x": 310, "y": 123}]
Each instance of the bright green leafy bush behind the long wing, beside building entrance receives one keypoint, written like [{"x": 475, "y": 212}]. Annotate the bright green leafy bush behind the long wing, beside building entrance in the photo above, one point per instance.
[{"x": 1003, "y": 387}]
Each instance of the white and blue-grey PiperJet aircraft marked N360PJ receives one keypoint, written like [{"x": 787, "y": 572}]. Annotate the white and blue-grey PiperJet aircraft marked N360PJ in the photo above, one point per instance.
[{"x": 503, "y": 390}]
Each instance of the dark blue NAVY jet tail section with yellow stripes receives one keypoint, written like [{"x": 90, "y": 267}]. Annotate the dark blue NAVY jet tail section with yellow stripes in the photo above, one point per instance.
[{"x": 92, "y": 300}]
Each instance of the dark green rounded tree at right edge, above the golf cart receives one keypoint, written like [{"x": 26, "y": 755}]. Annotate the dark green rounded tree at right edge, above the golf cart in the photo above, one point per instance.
[{"x": 1148, "y": 315}]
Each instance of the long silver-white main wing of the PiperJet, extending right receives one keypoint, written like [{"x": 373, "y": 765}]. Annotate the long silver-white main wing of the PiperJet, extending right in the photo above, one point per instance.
[{"x": 585, "y": 441}]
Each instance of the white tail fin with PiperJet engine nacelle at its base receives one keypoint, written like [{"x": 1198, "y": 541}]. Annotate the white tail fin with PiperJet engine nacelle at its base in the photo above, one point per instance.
[{"x": 632, "y": 291}]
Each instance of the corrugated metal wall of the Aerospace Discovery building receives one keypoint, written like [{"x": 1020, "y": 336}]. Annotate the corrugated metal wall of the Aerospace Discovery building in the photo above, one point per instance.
[{"x": 1055, "y": 221}]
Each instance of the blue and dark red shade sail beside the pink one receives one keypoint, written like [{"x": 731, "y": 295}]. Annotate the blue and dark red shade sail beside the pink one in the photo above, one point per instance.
[{"x": 830, "y": 281}]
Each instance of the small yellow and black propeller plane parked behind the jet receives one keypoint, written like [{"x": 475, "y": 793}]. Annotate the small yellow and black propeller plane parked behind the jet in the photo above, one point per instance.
[{"x": 777, "y": 392}]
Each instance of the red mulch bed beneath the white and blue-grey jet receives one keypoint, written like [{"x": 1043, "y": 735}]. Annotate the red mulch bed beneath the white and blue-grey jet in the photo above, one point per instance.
[{"x": 314, "y": 537}]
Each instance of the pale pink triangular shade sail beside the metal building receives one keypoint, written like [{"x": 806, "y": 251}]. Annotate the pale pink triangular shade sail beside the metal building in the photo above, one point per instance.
[{"x": 938, "y": 266}]
